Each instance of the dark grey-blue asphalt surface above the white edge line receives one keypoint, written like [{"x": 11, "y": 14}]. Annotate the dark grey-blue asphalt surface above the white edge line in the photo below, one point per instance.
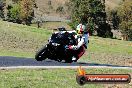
[{"x": 7, "y": 61}]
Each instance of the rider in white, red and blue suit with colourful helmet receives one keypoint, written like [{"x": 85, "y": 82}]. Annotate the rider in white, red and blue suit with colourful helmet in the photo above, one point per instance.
[{"x": 82, "y": 38}]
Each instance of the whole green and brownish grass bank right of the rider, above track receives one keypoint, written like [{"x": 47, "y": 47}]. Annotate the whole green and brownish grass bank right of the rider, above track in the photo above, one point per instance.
[{"x": 108, "y": 51}]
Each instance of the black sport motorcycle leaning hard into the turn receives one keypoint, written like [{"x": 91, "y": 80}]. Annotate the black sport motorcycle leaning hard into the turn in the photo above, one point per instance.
[{"x": 57, "y": 49}]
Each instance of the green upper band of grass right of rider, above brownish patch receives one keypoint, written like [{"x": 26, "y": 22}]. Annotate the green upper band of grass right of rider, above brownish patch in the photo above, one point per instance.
[{"x": 107, "y": 45}]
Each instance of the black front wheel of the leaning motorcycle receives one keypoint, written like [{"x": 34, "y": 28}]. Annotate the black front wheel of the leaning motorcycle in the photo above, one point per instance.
[{"x": 41, "y": 54}]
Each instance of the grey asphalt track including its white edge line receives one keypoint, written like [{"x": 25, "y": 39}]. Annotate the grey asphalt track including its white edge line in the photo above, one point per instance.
[{"x": 17, "y": 62}]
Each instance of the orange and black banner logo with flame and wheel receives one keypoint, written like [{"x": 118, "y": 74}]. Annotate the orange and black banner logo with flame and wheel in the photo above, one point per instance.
[{"x": 83, "y": 78}]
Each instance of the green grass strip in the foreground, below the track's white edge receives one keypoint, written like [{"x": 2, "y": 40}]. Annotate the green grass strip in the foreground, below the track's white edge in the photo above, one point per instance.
[{"x": 53, "y": 78}]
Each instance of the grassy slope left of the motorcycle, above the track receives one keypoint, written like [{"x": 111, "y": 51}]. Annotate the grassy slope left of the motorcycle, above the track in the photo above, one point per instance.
[{"x": 20, "y": 39}]
